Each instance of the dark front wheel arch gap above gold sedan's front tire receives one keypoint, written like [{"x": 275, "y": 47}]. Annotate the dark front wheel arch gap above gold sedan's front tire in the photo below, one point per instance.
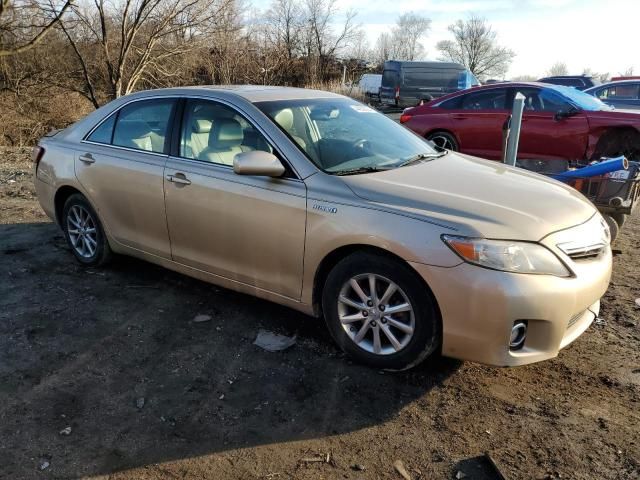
[{"x": 334, "y": 257}]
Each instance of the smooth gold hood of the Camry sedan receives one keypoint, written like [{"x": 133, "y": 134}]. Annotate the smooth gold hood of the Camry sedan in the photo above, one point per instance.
[{"x": 476, "y": 197}]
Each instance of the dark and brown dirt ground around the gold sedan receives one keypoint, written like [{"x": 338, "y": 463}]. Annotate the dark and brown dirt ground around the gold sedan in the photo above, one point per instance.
[{"x": 104, "y": 374}]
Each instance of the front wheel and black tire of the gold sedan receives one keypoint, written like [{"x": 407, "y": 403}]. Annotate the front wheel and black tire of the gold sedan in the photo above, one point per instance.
[{"x": 380, "y": 313}]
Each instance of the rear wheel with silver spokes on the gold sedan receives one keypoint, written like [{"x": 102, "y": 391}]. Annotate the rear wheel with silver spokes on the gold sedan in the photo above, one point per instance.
[{"x": 84, "y": 233}]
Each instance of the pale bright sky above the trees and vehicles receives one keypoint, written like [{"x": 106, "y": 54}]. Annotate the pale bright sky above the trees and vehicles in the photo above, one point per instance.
[{"x": 603, "y": 35}]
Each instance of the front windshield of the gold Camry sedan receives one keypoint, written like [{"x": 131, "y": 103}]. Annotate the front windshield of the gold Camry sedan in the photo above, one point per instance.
[{"x": 342, "y": 136}]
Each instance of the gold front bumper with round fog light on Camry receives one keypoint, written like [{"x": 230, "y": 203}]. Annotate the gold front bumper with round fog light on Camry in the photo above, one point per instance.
[{"x": 479, "y": 307}]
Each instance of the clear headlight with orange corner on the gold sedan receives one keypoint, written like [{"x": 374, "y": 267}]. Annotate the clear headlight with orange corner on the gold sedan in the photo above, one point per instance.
[{"x": 508, "y": 256}]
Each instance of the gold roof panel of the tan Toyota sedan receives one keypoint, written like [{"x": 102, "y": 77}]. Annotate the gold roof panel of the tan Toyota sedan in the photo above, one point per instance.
[{"x": 252, "y": 93}]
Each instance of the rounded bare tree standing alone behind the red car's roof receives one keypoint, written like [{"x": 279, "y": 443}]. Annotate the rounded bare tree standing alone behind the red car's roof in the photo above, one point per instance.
[{"x": 475, "y": 46}]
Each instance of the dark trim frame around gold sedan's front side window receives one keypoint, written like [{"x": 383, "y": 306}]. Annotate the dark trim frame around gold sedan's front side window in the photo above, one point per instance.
[{"x": 177, "y": 124}]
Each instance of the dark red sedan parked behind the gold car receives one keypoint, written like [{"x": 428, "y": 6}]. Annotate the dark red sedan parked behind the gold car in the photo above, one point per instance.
[{"x": 558, "y": 123}]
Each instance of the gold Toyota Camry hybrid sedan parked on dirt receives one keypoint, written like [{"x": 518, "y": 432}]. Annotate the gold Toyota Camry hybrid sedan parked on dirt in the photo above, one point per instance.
[{"x": 317, "y": 202}]
